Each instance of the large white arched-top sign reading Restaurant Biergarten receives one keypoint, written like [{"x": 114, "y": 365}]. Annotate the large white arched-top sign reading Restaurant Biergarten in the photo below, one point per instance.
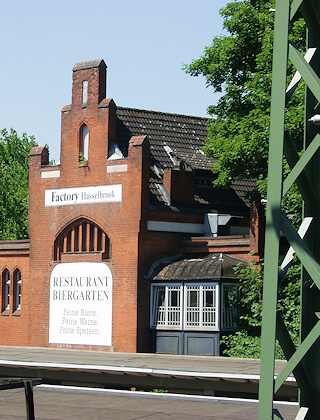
[{"x": 81, "y": 304}]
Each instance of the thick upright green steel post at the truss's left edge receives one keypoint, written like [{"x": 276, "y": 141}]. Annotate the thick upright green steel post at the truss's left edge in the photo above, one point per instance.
[{"x": 278, "y": 99}]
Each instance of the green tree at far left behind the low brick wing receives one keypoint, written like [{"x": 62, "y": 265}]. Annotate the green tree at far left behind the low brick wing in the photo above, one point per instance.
[{"x": 14, "y": 161}]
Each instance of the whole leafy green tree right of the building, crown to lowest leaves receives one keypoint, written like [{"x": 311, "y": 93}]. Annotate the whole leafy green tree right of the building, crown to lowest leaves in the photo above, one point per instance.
[{"x": 239, "y": 65}]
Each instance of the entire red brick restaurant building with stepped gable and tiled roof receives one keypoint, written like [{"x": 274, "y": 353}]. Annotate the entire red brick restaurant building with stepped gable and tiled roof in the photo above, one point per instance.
[{"x": 132, "y": 189}]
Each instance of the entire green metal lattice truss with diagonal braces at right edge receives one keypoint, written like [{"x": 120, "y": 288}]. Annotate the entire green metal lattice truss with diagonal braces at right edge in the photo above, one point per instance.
[{"x": 303, "y": 361}]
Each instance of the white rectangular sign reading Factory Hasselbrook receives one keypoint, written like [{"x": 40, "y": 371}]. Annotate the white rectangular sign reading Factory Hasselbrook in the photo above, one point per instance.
[{"x": 85, "y": 195}]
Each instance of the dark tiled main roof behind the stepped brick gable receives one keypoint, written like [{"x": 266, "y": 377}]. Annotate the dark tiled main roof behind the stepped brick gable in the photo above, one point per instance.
[{"x": 174, "y": 140}]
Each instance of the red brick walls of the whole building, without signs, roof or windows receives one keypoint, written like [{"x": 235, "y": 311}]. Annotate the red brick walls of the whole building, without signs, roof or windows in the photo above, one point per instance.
[{"x": 133, "y": 249}]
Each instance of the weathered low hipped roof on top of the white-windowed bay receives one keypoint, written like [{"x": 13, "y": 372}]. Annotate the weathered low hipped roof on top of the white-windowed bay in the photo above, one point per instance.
[{"x": 210, "y": 267}]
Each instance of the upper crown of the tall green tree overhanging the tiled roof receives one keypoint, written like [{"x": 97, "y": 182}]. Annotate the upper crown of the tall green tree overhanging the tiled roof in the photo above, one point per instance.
[{"x": 239, "y": 65}]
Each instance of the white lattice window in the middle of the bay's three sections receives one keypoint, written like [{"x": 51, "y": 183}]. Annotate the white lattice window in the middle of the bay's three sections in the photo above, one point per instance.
[{"x": 205, "y": 318}]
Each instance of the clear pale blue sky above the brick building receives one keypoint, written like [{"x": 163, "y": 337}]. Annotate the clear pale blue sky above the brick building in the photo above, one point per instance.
[{"x": 143, "y": 42}]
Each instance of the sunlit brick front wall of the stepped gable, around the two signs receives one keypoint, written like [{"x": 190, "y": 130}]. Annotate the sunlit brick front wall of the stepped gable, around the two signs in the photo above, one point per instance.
[{"x": 120, "y": 221}]
